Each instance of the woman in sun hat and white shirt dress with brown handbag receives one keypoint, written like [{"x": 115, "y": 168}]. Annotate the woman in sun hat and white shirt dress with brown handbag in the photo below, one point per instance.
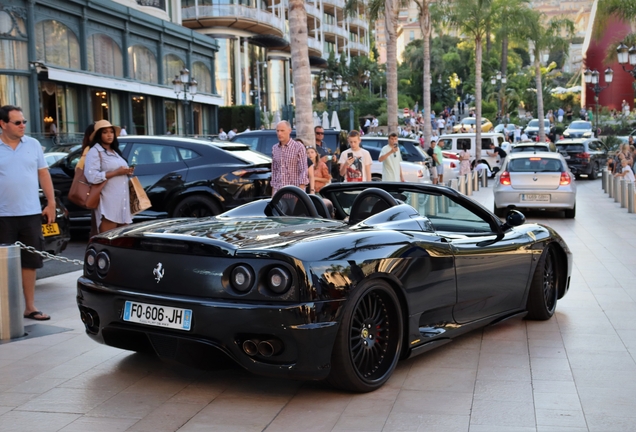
[{"x": 105, "y": 163}]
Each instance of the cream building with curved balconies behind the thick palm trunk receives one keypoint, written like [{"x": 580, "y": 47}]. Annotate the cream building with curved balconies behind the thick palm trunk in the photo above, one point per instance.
[{"x": 254, "y": 60}]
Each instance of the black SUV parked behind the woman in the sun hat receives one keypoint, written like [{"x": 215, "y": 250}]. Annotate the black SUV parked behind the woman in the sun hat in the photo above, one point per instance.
[{"x": 182, "y": 176}]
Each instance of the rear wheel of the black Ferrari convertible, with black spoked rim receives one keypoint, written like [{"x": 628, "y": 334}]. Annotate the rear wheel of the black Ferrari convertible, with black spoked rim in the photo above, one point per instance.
[{"x": 369, "y": 339}]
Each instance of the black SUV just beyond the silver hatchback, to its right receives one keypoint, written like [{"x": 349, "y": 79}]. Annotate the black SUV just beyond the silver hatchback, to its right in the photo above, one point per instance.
[{"x": 584, "y": 156}]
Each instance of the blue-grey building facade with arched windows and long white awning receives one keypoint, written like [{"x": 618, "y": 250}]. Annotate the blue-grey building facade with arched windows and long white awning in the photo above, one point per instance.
[{"x": 69, "y": 63}]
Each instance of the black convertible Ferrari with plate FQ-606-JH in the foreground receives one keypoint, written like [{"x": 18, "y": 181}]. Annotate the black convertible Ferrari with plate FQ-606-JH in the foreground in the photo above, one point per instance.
[{"x": 289, "y": 287}]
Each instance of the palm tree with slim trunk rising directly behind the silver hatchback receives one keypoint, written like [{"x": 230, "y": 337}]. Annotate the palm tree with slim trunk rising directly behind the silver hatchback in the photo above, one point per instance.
[{"x": 544, "y": 39}]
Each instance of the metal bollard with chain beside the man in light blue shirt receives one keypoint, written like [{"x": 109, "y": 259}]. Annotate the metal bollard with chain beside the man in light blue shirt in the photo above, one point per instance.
[{"x": 11, "y": 296}]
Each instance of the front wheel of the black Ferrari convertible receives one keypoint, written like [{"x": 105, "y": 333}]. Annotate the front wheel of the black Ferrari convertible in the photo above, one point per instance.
[{"x": 544, "y": 290}]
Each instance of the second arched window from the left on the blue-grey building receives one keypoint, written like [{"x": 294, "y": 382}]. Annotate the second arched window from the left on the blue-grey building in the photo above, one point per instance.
[{"x": 56, "y": 44}]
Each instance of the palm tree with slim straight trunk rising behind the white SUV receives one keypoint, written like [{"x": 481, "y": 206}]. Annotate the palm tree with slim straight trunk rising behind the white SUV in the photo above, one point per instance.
[{"x": 472, "y": 18}]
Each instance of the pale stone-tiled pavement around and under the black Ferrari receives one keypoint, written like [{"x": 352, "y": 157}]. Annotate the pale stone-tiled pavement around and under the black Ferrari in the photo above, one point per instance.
[{"x": 575, "y": 372}]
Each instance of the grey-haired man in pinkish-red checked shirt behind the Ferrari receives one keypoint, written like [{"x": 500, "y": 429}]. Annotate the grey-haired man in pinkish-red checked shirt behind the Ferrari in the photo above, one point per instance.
[{"x": 289, "y": 160}]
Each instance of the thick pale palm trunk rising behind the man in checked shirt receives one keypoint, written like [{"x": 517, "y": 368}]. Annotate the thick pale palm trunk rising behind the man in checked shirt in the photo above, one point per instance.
[{"x": 301, "y": 71}]
